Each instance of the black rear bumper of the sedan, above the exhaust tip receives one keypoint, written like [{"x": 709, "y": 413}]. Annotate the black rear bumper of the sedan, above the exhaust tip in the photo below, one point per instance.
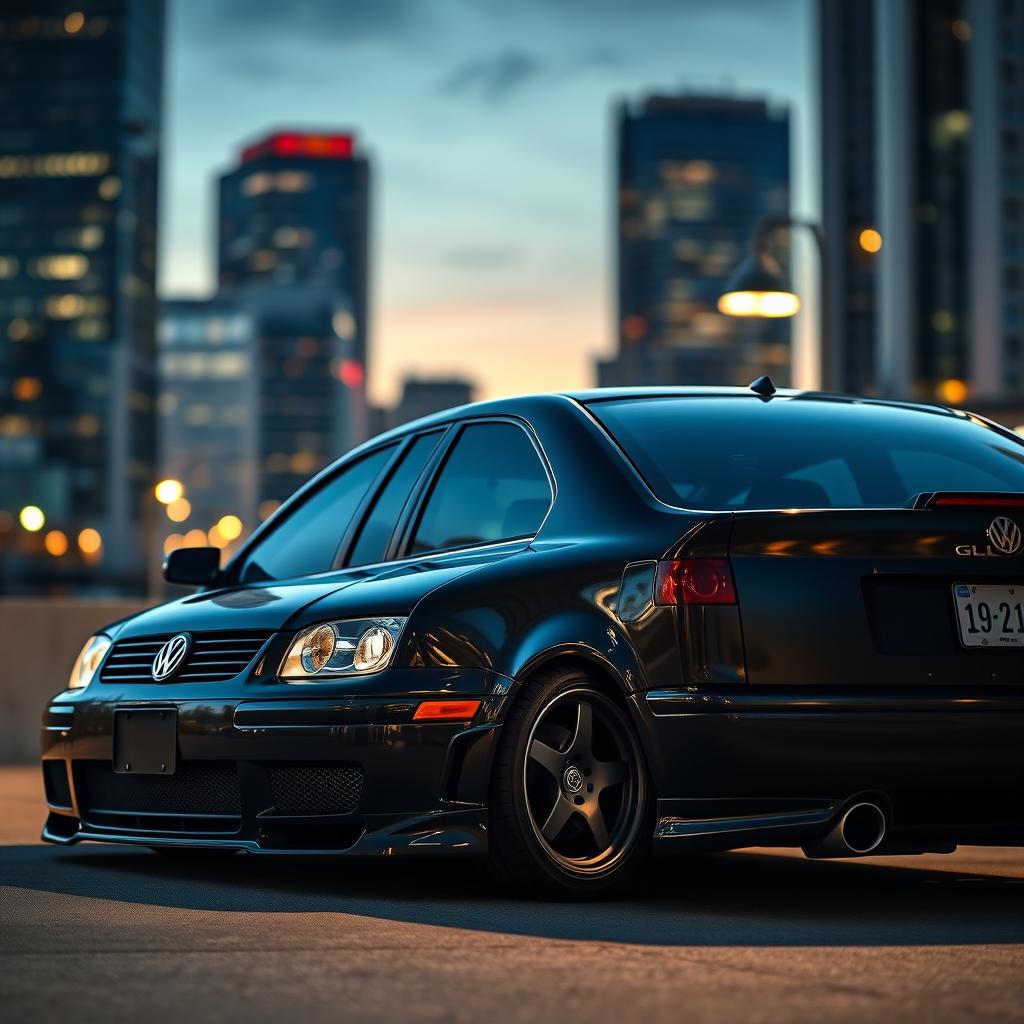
[{"x": 746, "y": 765}]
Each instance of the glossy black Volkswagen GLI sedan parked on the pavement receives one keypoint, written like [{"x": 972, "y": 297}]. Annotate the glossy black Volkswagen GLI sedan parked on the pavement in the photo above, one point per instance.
[{"x": 563, "y": 633}]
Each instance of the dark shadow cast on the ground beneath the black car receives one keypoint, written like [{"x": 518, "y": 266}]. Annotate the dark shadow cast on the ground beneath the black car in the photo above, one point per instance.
[{"x": 714, "y": 901}]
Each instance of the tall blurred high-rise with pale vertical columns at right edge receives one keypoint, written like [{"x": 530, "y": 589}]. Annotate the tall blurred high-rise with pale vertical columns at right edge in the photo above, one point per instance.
[{"x": 923, "y": 190}]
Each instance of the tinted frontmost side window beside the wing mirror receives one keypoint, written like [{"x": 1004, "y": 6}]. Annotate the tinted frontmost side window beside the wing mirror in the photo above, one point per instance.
[{"x": 308, "y": 540}]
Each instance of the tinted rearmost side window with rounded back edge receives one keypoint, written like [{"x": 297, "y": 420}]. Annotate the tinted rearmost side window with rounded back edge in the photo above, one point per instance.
[{"x": 493, "y": 487}]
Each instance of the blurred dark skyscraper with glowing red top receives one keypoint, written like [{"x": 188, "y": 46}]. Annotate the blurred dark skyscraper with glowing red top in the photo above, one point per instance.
[{"x": 293, "y": 235}]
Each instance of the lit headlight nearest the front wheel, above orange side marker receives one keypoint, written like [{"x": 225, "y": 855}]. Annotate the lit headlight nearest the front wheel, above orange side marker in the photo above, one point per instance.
[{"x": 353, "y": 648}]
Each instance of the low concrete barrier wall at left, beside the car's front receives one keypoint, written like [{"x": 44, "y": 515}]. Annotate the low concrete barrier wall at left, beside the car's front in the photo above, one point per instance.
[{"x": 39, "y": 642}]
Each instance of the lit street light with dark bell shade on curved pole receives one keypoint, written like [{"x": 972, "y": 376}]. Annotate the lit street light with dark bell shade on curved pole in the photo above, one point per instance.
[{"x": 758, "y": 287}]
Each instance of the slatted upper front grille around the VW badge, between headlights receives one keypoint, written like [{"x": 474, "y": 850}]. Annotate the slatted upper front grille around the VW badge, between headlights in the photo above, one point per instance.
[{"x": 215, "y": 658}]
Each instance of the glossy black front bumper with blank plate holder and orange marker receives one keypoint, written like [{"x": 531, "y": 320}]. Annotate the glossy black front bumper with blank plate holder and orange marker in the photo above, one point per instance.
[{"x": 287, "y": 770}]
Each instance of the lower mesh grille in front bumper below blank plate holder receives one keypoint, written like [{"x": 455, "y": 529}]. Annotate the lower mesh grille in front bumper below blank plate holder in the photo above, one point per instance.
[{"x": 197, "y": 788}]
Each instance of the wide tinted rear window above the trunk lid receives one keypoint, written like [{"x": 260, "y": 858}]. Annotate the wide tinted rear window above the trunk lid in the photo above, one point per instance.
[{"x": 742, "y": 453}]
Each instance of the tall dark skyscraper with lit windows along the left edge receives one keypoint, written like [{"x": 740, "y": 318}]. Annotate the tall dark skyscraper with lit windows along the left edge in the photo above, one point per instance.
[{"x": 80, "y": 117}]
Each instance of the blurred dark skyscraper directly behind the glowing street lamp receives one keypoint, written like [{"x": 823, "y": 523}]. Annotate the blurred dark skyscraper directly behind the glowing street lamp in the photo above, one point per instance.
[{"x": 696, "y": 174}]
